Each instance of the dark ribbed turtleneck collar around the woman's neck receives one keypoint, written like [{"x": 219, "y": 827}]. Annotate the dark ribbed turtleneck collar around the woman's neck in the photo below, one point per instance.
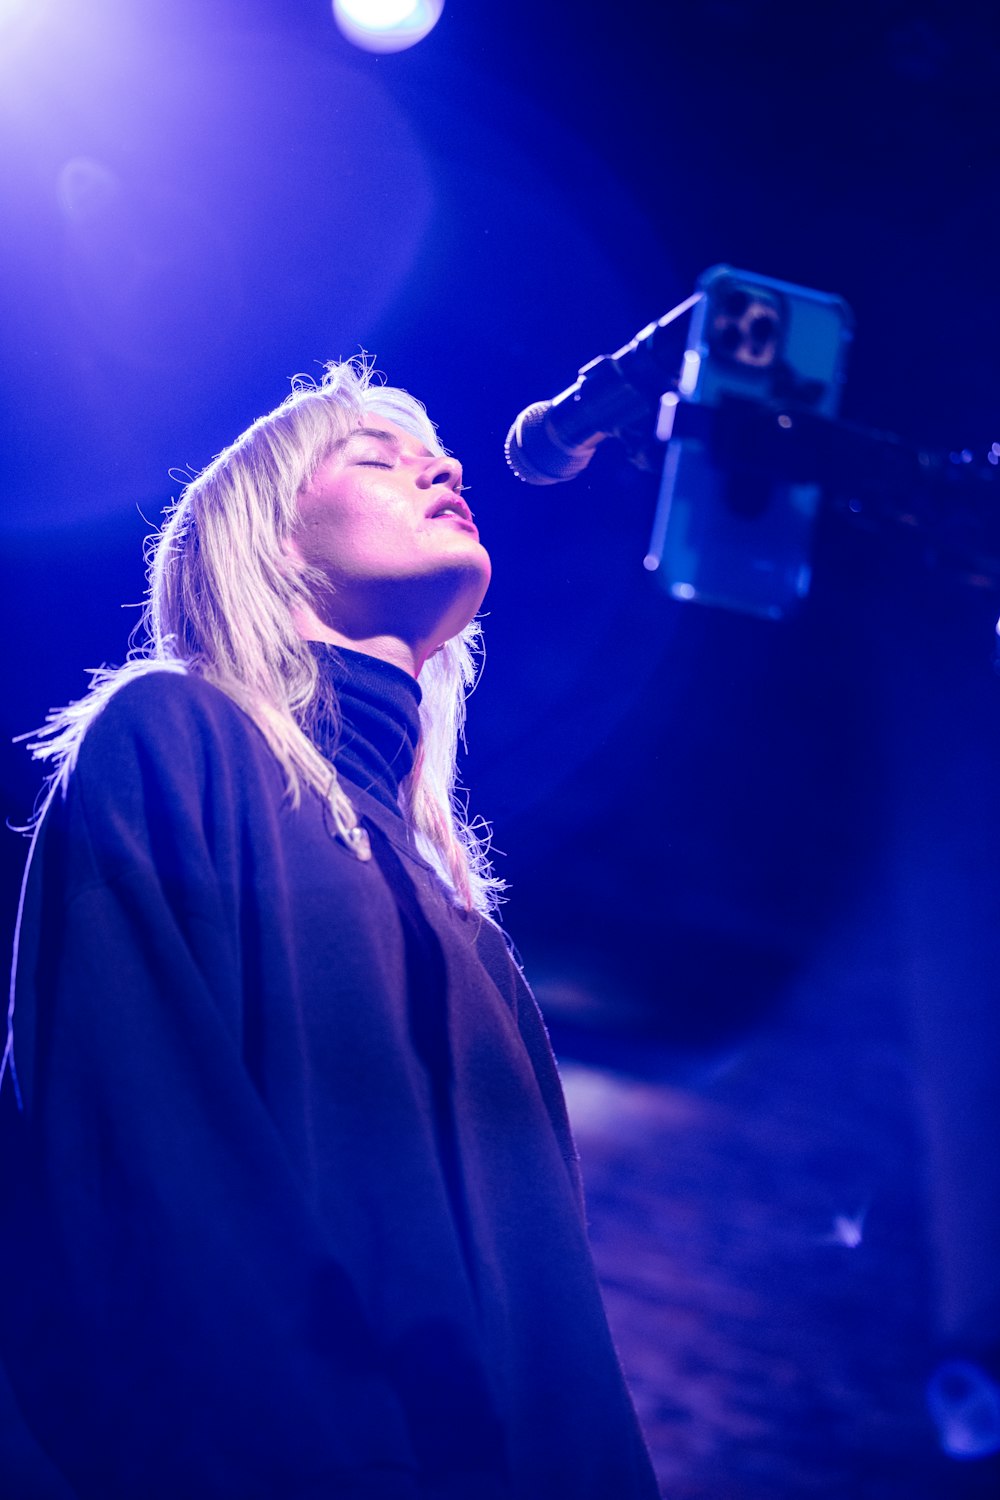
[{"x": 373, "y": 740}]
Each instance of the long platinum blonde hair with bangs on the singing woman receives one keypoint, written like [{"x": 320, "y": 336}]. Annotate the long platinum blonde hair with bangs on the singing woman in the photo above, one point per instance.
[{"x": 221, "y": 599}]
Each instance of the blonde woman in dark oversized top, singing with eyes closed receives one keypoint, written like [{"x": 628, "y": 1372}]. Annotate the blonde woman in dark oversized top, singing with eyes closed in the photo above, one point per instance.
[{"x": 296, "y": 1205}]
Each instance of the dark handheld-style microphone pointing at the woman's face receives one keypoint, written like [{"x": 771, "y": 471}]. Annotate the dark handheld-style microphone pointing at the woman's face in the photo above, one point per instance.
[{"x": 555, "y": 440}]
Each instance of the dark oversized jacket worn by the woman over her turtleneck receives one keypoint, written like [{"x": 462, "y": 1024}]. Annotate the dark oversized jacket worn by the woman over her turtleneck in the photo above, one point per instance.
[{"x": 290, "y": 1207}]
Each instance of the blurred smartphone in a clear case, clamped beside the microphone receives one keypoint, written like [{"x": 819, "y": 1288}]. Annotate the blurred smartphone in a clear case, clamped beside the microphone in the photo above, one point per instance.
[{"x": 725, "y": 535}]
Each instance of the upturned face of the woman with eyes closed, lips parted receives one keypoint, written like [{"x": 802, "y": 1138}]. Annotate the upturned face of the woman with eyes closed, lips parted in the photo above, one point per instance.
[{"x": 385, "y": 523}]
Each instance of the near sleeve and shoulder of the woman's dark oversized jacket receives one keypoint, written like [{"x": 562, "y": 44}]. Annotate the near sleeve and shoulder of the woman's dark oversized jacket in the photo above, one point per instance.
[{"x": 173, "y": 1322}]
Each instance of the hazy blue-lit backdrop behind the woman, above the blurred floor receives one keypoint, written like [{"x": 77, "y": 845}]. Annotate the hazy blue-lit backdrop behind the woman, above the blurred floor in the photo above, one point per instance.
[{"x": 698, "y": 814}]
